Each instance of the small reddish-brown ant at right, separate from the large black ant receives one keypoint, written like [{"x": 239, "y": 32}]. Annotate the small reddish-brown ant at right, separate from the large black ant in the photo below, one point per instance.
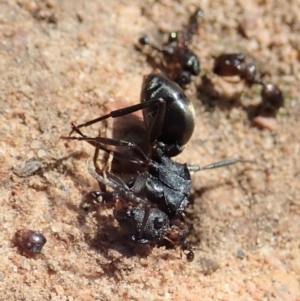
[{"x": 237, "y": 64}]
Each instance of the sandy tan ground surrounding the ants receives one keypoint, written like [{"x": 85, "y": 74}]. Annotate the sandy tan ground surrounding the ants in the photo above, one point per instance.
[{"x": 65, "y": 61}]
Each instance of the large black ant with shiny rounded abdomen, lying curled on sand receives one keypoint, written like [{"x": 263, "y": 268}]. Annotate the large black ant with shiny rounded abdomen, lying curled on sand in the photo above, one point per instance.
[{"x": 157, "y": 197}]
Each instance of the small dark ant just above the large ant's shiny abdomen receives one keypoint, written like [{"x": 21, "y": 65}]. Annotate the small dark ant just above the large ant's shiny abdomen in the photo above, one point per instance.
[{"x": 180, "y": 63}]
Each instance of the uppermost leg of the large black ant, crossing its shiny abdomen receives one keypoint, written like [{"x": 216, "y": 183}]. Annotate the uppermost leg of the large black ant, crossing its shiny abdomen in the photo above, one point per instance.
[{"x": 118, "y": 113}]
